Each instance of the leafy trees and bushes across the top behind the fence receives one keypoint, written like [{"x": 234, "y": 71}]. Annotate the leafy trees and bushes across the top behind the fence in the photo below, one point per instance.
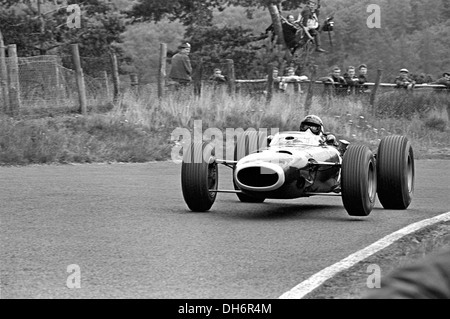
[{"x": 414, "y": 33}]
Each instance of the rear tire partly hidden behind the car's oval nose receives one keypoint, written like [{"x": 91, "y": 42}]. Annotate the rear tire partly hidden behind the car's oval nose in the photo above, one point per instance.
[{"x": 247, "y": 143}]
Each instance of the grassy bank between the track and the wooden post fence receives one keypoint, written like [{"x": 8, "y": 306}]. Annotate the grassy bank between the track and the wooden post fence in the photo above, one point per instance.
[{"x": 138, "y": 129}]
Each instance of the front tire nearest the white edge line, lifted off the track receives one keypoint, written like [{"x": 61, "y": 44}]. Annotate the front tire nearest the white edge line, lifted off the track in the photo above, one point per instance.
[{"x": 359, "y": 180}]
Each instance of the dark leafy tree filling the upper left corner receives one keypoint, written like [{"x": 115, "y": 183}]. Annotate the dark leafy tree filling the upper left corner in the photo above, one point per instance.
[{"x": 38, "y": 27}]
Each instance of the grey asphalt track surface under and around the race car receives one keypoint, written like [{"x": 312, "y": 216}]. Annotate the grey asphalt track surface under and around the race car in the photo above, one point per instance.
[{"x": 128, "y": 229}]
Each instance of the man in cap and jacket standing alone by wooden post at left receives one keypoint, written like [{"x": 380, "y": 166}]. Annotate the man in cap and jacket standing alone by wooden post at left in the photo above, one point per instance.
[{"x": 181, "y": 71}]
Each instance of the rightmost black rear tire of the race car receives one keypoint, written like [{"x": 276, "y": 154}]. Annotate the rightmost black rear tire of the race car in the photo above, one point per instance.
[{"x": 396, "y": 172}]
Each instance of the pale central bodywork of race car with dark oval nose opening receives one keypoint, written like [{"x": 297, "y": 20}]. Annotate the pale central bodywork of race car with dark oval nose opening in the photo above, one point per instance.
[{"x": 295, "y": 164}]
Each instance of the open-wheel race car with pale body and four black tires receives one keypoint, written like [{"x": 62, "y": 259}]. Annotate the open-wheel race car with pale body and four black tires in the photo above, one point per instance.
[{"x": 292, "y": 165}]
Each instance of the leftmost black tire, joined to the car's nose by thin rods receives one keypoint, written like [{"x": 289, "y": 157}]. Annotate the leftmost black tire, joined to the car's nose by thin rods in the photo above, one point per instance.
[{"x": 199, "y": 175}]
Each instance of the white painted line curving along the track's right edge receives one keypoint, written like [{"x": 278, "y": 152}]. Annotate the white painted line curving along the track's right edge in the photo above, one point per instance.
[{"x": 313, "y": 282}]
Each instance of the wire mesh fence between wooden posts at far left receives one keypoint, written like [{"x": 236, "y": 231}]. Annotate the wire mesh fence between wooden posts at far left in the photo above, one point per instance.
[{"x": 50, "y": 81}]
